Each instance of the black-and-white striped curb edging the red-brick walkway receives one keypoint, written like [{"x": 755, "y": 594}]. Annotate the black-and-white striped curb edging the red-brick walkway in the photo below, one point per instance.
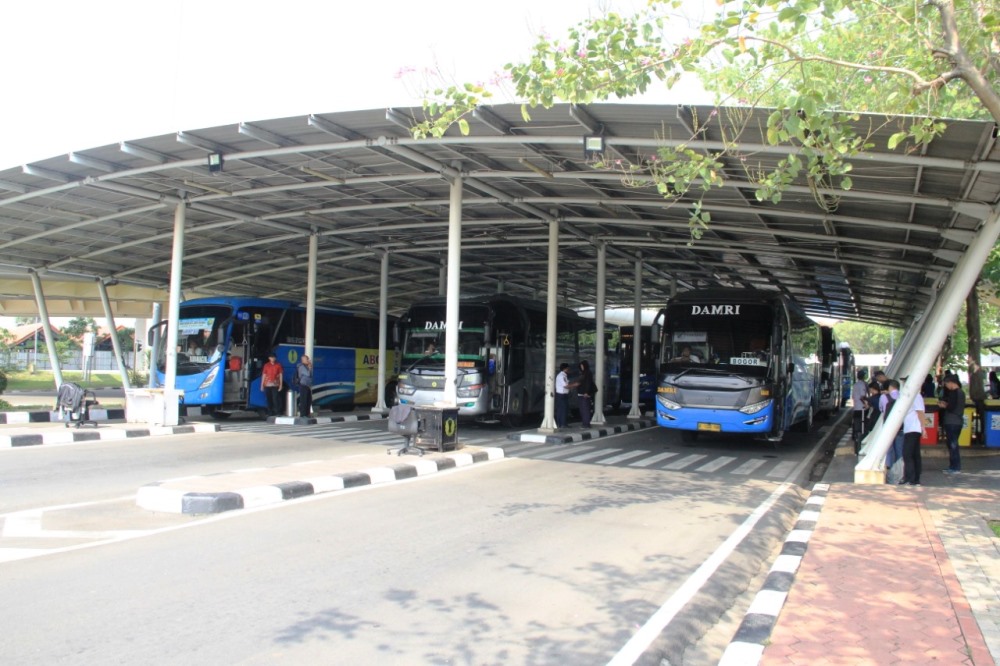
[{"x": 747, "y": 646}]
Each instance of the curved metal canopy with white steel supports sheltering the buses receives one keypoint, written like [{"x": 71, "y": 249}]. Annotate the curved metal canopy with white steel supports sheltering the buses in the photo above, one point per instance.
[{"x": 348, "y": 209}]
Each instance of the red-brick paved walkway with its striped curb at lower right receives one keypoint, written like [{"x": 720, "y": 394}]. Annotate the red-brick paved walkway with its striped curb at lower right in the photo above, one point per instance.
[{"x": 881, "y": 574}]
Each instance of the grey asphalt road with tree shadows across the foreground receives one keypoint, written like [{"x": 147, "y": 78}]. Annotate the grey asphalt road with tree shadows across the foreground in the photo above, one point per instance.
[{"x": 524, "y": 560}]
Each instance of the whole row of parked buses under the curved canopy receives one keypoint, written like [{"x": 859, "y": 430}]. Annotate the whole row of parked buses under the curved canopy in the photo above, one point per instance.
[{"x": 717, "y": 360}]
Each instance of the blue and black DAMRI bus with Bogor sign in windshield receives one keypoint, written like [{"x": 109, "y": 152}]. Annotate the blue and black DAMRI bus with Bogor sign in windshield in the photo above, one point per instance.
[{"x": 737, "y": 361}]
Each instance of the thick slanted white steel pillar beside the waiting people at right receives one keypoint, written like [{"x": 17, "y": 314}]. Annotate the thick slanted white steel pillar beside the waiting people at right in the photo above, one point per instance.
[{"x": 940, "y": 318}]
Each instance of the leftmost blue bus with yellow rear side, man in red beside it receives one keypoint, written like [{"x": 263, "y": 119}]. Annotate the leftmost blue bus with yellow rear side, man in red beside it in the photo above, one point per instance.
[{"x": 223, "y": 343}]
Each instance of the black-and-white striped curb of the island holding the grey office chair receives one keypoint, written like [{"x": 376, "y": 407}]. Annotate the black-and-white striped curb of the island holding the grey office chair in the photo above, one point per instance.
[{"x": 155, "y": 497}]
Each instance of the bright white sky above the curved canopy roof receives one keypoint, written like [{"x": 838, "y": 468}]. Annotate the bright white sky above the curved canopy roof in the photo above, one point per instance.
[{"x": 84, "y": 74}]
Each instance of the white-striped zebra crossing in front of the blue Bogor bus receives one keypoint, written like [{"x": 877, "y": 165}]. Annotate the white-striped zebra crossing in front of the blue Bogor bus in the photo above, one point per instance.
[{"x": 673, "y": 461}]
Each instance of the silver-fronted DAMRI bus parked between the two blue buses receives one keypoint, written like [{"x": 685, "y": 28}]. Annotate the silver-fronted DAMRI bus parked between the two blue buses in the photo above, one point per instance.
[{"x": 501, "y": 355}]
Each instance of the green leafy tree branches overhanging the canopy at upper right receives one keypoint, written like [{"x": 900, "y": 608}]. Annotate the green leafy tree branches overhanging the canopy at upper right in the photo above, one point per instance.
[{"x": 934, "y": 58}]
